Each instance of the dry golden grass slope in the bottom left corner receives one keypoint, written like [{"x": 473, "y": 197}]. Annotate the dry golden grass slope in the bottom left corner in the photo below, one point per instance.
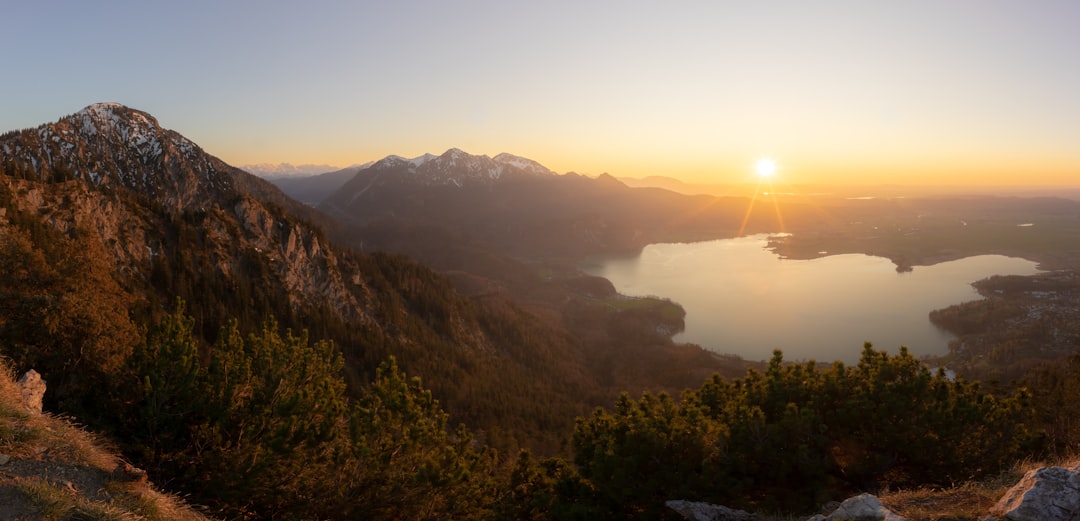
[{"x": 53, "y": 470}]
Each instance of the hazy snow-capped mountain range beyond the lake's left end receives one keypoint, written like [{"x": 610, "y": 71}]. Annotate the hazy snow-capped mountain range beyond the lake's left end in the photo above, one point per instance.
[{"x": 521, "y": 208}]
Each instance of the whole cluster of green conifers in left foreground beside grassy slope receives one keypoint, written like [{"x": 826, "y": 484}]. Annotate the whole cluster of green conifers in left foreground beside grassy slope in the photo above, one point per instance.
[{"x": 261, "y": 426}]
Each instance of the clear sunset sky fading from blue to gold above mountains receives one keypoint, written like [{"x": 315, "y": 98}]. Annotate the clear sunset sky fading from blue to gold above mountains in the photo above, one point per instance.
[{"x": 854, "y": 92}]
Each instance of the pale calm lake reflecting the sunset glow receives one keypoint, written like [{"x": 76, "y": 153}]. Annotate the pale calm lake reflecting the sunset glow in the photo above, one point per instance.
[{"x": 744, "y": 300}]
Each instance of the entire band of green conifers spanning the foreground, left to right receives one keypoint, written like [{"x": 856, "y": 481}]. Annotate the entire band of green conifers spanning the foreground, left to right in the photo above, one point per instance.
[{"x": 260, "y": 425}]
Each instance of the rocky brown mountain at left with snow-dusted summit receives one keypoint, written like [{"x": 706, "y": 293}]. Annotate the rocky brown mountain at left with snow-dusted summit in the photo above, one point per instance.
[{"x": 138, "y": 184}]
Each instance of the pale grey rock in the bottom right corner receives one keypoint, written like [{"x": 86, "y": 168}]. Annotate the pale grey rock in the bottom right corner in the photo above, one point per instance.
[{"x": 1045, "y": 495}]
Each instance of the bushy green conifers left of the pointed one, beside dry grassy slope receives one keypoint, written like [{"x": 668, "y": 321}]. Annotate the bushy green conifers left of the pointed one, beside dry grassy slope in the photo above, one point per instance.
[{"x": 252, "y": 430}]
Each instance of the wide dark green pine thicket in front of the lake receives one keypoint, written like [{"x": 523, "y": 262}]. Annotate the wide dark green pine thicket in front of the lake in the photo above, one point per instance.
[{"x": 795, "y": 435}]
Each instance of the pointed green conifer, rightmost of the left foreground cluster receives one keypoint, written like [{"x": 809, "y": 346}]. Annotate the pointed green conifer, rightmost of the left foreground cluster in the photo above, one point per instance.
[{"x": 406, "y": 464}]
